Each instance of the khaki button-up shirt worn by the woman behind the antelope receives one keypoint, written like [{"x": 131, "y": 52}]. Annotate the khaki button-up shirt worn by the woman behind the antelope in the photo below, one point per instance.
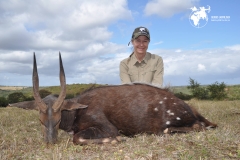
[{"x": 150, "y": 70}]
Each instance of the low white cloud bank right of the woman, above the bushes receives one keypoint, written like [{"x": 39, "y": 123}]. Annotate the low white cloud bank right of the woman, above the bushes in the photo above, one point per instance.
[{"x": 216, "y": 64}]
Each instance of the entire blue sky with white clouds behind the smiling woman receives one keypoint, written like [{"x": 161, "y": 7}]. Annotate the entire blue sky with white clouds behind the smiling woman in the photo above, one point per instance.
[{"x": 93, "y": 36}]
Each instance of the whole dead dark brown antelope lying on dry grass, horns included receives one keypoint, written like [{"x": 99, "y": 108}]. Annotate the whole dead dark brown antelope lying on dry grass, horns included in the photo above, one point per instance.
[{"x": 103, "y": 114}]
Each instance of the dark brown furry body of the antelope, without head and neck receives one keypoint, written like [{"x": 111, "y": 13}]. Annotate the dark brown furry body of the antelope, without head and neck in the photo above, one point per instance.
[{"x": 133, "y": 109}]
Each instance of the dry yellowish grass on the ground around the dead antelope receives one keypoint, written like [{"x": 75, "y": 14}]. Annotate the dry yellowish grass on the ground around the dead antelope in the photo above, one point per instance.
[{"x": 20, "y": 138}]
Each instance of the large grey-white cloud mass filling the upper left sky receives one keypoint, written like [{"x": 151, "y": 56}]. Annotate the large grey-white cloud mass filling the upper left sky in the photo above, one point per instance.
[{"x": 62, "y": 25}]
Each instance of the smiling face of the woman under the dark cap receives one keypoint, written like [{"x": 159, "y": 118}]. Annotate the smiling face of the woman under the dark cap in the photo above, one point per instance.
[{"x": 140, "y": 44}]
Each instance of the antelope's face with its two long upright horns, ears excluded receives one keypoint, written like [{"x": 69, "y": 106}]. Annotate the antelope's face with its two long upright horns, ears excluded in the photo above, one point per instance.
[{"x": 50, "y": 111}]
